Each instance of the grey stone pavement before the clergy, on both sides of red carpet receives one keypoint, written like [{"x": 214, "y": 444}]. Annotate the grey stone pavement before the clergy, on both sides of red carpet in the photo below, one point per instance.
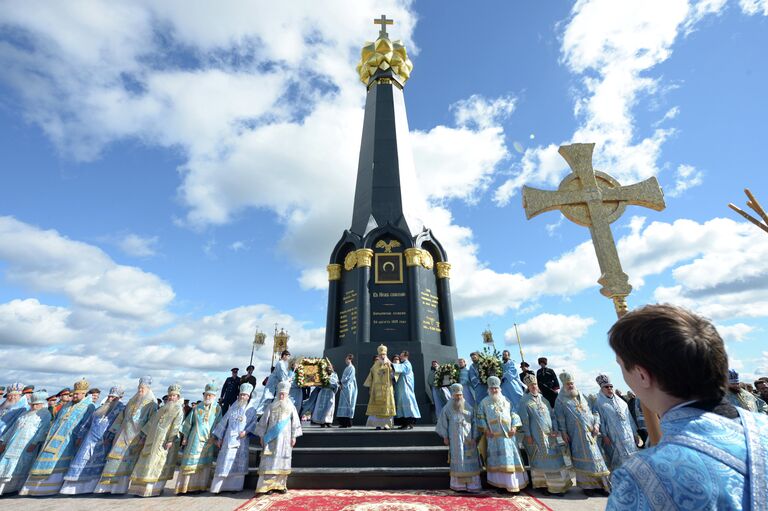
[{"x": 574, "y": 500}]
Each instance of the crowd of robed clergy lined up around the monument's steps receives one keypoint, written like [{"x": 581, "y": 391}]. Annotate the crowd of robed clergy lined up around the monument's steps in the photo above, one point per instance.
[{"x": 79, "y": 445}]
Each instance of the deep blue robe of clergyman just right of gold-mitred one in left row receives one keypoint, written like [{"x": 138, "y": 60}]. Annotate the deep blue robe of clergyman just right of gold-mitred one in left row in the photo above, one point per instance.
[{"x": 92, "y": 454}]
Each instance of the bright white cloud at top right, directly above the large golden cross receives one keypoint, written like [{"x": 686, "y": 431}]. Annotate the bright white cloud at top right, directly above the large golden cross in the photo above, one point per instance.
[{"x": 612, "y": 45}]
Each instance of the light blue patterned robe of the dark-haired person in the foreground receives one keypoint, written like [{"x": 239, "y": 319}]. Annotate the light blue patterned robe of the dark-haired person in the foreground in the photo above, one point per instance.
[{"x": 703, "y": 462}]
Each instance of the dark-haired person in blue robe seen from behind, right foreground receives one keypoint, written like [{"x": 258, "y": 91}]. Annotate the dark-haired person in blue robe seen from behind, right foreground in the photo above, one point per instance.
[{"x": 711, "y": 454}]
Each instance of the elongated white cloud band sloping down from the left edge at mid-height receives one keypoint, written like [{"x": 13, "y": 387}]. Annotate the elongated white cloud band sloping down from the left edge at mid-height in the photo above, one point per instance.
[{"x": 44, "y": 260}]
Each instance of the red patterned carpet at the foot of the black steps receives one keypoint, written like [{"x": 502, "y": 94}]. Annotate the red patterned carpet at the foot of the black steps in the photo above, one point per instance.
[{"x": 354, "y": 500}]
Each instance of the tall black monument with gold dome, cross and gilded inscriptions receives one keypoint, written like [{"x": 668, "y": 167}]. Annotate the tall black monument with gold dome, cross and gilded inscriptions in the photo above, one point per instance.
[{"x": 388, "y": 284}]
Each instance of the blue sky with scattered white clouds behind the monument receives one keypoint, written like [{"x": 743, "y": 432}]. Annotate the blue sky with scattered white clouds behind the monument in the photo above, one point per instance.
[{"x": 176, "y": 175}]
